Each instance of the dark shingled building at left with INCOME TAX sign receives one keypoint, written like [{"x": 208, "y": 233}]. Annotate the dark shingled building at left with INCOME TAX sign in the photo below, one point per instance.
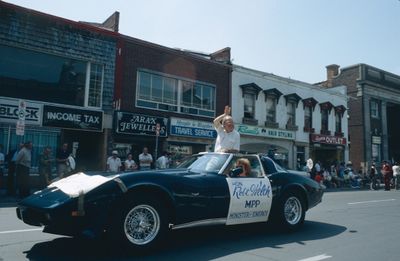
[{"x": 56, "y": 84}]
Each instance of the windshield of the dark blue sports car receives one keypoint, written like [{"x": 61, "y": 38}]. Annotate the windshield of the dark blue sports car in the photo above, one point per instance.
[{"x": 209, "y": 162}]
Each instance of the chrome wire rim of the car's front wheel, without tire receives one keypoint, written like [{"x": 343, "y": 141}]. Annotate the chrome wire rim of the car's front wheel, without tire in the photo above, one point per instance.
[{"x": 142, "y": 224}]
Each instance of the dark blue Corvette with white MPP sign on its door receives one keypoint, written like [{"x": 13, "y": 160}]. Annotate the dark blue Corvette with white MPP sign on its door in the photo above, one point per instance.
[{"x": 138, "y": 209}]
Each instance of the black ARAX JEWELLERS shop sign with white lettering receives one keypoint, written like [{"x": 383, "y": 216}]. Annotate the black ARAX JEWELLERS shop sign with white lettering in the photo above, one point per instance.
[{"x": 138, "y": 124}]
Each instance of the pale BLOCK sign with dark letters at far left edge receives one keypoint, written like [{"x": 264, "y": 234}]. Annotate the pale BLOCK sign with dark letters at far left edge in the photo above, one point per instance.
[{"x": 11, "y": 112}]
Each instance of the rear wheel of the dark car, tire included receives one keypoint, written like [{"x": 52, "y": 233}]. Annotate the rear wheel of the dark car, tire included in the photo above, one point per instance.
[{"x": 291, "y": 210}]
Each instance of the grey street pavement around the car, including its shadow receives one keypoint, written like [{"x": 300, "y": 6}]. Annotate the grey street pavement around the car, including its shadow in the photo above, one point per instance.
[{"x": 348, "y": 225}]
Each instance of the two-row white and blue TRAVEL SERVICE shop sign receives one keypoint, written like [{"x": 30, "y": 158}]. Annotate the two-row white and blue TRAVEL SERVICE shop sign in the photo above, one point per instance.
[{"x": 191, "y": 128}]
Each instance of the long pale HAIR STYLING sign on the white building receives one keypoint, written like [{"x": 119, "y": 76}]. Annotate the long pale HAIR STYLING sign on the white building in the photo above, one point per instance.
[{"x": 265, "y": 132}]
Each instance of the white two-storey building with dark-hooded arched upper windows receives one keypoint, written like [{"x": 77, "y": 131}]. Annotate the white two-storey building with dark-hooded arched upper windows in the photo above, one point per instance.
[{"x": 288, "y": 119}]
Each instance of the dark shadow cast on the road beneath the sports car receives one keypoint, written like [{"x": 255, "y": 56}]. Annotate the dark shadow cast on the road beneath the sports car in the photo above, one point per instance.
[{"x": 195, "y": 244}]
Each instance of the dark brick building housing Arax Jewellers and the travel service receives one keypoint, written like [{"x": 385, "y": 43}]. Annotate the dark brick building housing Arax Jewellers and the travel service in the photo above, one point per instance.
[{"x": 179, "y": 91}]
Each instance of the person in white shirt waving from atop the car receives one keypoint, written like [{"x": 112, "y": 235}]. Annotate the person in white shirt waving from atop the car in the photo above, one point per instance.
[{"x": 228, "y": 139}]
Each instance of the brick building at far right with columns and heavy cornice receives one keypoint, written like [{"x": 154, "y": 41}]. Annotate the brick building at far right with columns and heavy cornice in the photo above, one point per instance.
[{"x": 374, "y": 106}]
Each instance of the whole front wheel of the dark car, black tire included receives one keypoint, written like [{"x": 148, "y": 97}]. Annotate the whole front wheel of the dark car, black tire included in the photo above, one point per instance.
[{"x": 141, "y": 225}]
